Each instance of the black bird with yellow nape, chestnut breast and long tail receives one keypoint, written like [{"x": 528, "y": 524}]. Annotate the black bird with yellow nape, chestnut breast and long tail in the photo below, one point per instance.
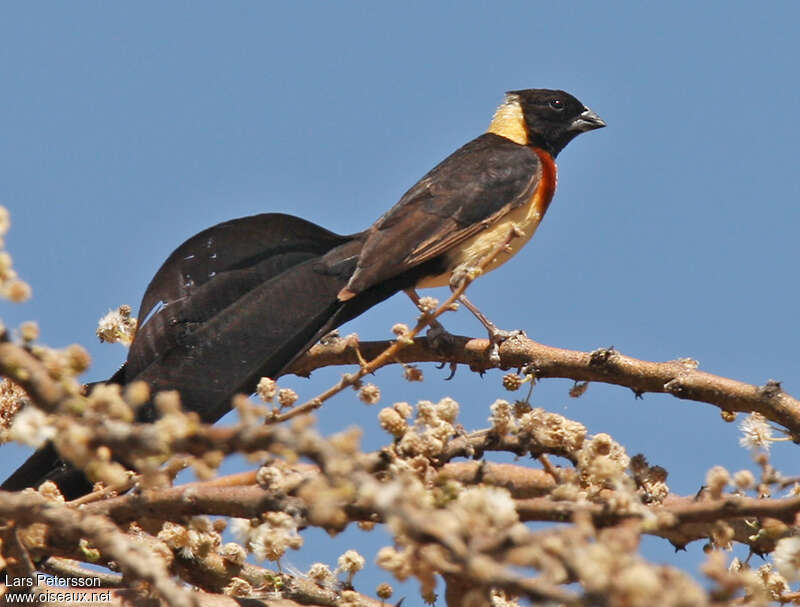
[{"x": 245, "y": 298}]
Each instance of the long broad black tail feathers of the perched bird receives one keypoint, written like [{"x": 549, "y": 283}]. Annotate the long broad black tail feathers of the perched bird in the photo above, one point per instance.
[{"x": 236, "y": 302}]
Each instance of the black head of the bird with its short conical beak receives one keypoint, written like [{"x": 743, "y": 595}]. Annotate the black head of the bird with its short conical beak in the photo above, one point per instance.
[{"x": 551, "y": 118}]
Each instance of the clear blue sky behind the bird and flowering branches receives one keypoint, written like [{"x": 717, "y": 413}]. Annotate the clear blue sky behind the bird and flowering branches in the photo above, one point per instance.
[{"x": 126, "y": 129}]
